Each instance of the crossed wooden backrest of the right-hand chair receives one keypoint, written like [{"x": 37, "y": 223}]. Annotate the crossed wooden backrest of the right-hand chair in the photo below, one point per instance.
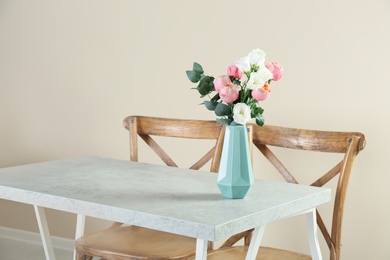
[{"x": 348, "y": 144}]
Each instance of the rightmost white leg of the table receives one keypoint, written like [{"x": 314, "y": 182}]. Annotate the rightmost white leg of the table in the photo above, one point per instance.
[{"x": 311, "y": 221}]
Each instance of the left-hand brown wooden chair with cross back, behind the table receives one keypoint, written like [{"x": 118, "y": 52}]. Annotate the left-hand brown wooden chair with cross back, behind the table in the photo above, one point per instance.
[{"x": 131, "y": 242}]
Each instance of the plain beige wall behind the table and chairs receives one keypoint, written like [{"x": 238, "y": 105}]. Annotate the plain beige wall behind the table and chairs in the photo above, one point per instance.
[{"x": 70, "y": 71}]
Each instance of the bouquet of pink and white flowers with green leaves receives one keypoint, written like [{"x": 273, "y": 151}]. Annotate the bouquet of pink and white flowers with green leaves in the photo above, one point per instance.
[{"x": 237, "y": 98}]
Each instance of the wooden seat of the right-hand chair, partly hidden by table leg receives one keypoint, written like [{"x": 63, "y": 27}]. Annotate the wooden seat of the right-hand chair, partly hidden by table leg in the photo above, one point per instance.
[{"x": 265, "y": 253}]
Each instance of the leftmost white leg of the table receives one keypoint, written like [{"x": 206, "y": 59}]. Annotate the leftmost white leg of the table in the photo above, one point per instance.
[{"x": 44, "y": 231}]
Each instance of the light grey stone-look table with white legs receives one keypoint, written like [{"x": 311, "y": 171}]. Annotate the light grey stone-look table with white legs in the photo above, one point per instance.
[{"x": 174, "y": 200}]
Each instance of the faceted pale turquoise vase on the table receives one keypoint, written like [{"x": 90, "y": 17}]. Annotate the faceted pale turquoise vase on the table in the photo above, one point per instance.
[{"x": 235, "y": 175}]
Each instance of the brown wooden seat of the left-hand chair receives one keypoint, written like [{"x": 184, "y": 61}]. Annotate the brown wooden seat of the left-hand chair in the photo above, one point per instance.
[{"x": 132, "y": 242}]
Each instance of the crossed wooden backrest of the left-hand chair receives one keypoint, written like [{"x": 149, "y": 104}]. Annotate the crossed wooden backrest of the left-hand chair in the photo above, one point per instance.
[{"x": 147, "y": 127}]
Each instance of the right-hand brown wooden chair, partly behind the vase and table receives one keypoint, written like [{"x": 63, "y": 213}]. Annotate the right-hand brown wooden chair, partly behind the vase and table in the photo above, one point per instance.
[{"x": 348, "y": 144}]
